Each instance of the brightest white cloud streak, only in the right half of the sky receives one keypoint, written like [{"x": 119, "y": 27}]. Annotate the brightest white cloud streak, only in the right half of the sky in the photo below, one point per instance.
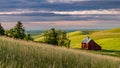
[{"x": 109, "y": 11}]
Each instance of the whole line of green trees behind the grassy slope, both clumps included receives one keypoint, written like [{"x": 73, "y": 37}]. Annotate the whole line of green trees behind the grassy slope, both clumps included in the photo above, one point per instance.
[{"x": 51, "y": 36}]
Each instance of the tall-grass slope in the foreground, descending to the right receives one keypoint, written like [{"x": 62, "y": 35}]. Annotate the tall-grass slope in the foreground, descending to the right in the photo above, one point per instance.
[{"x": 25, "y": 54}]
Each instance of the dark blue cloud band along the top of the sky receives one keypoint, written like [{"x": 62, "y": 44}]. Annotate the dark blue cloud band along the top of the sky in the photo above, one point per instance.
[{"x": 39, "y": 4}]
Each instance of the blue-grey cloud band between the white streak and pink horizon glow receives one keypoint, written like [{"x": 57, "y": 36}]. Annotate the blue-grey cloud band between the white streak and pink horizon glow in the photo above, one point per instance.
[{"x": 49, "y": 17}]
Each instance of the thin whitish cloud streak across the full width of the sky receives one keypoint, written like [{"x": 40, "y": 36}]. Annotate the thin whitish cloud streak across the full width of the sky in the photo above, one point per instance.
[{"x": 81, "y": 12}]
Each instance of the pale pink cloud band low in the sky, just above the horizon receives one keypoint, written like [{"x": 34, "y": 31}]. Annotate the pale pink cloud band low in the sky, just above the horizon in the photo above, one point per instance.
[{"x": 43, "y": 25}]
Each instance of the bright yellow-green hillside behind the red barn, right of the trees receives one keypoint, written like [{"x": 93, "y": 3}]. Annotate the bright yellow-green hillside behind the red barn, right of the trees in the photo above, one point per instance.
[{"x": 105, "y": 38}]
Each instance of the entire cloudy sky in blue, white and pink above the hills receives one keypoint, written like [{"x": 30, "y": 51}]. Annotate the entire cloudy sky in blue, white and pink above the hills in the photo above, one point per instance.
[{"x": 60, "y": 14}]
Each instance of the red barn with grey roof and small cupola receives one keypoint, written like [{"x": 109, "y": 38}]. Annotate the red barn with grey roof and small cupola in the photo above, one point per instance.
[{"x": 90, "y": 44}]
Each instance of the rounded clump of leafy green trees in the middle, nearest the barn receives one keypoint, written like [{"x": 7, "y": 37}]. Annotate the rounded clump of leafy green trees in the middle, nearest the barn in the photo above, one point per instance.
[{"x": 56, "y": 37}]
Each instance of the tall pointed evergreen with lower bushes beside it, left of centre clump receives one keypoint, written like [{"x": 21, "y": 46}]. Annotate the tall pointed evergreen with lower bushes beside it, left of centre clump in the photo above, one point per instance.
[{"x": 18, "y": 32}]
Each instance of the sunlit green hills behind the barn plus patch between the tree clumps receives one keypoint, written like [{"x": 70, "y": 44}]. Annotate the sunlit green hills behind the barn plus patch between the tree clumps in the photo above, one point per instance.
[{"x": 100, "y": 36}]
